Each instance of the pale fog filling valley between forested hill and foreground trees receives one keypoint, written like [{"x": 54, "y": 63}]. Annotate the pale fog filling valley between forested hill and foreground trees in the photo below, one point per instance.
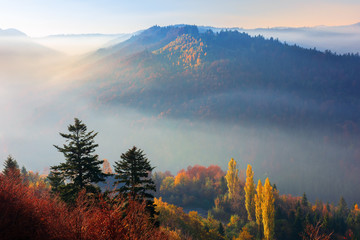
[{"x": 40, "y": 96}]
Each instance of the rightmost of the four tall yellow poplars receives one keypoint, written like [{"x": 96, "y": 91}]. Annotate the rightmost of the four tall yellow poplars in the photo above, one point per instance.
[{"x": 268, "y": 210}]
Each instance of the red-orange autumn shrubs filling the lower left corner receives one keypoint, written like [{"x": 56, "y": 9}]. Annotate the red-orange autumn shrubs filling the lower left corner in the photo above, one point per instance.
[{"x": 31, "y": 213}]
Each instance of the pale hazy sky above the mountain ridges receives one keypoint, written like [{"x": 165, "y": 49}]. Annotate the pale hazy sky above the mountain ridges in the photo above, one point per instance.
[{"x": 44, "y": 17}]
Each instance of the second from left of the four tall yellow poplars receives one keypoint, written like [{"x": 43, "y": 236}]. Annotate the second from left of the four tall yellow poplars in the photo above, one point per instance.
[{"x": 250, "y": 193}]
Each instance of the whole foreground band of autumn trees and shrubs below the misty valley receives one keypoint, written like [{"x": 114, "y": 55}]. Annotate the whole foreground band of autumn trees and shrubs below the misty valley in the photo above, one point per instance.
[{"x": 236, "y": 207}]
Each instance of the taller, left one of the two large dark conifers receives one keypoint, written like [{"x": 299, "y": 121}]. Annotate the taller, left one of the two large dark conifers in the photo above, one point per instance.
[{"x": 81, "y": 169}]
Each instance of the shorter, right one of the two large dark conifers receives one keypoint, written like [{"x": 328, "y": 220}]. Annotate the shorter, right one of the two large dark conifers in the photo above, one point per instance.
[{"x": 133, "y": 175}]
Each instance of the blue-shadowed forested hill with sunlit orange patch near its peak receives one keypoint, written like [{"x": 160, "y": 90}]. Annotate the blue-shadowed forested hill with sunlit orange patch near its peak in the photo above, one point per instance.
[{"x": 229, "y": 76}]
